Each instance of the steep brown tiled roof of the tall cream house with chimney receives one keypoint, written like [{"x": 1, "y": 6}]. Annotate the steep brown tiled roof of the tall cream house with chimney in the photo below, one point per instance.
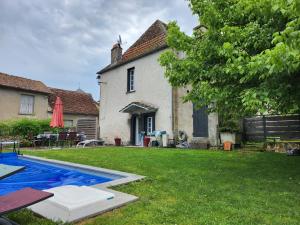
[{"x": 152, "y": 40}]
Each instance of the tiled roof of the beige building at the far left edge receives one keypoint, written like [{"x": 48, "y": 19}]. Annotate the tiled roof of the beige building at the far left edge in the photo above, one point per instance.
[{"x": 10, "y": 81}]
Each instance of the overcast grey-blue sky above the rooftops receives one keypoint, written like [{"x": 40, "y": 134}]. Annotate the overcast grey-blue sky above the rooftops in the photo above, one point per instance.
[{"x": 64, "y": 43}]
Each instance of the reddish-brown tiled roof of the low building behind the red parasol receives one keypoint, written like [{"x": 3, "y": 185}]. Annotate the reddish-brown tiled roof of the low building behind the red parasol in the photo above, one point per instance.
[{"x": 74, "y": 102}]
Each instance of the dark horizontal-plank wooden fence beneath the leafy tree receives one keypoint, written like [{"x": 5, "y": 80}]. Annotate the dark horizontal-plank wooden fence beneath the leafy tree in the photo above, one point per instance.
[{"x": 260, "y": 127}]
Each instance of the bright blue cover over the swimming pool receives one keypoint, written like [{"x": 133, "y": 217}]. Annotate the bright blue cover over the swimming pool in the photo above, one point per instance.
[{"x": 42, "y": 176}]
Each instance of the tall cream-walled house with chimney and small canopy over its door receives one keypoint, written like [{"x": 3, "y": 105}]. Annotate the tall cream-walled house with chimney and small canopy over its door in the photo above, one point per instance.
[{"x": 136, "y": 97}]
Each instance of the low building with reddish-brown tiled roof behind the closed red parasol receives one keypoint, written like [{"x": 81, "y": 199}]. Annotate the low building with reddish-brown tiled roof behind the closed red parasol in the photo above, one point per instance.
[{"x": 80, "y": 110}]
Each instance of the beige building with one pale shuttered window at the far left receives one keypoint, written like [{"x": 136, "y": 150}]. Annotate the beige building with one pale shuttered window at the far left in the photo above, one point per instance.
[{"x": 22, "y": 98}]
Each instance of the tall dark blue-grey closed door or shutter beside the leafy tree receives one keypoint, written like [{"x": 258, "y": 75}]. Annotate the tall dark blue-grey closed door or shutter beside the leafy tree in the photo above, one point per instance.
[{"x": 200, "y": 122}]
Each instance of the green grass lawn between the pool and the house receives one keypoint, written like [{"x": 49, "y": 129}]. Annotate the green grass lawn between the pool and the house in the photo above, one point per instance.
[{"x": 194, "y": 187}]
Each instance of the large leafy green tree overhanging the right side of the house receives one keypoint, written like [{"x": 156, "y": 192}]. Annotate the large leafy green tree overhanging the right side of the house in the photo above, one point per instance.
[{"x": 243, "y": 58}]
